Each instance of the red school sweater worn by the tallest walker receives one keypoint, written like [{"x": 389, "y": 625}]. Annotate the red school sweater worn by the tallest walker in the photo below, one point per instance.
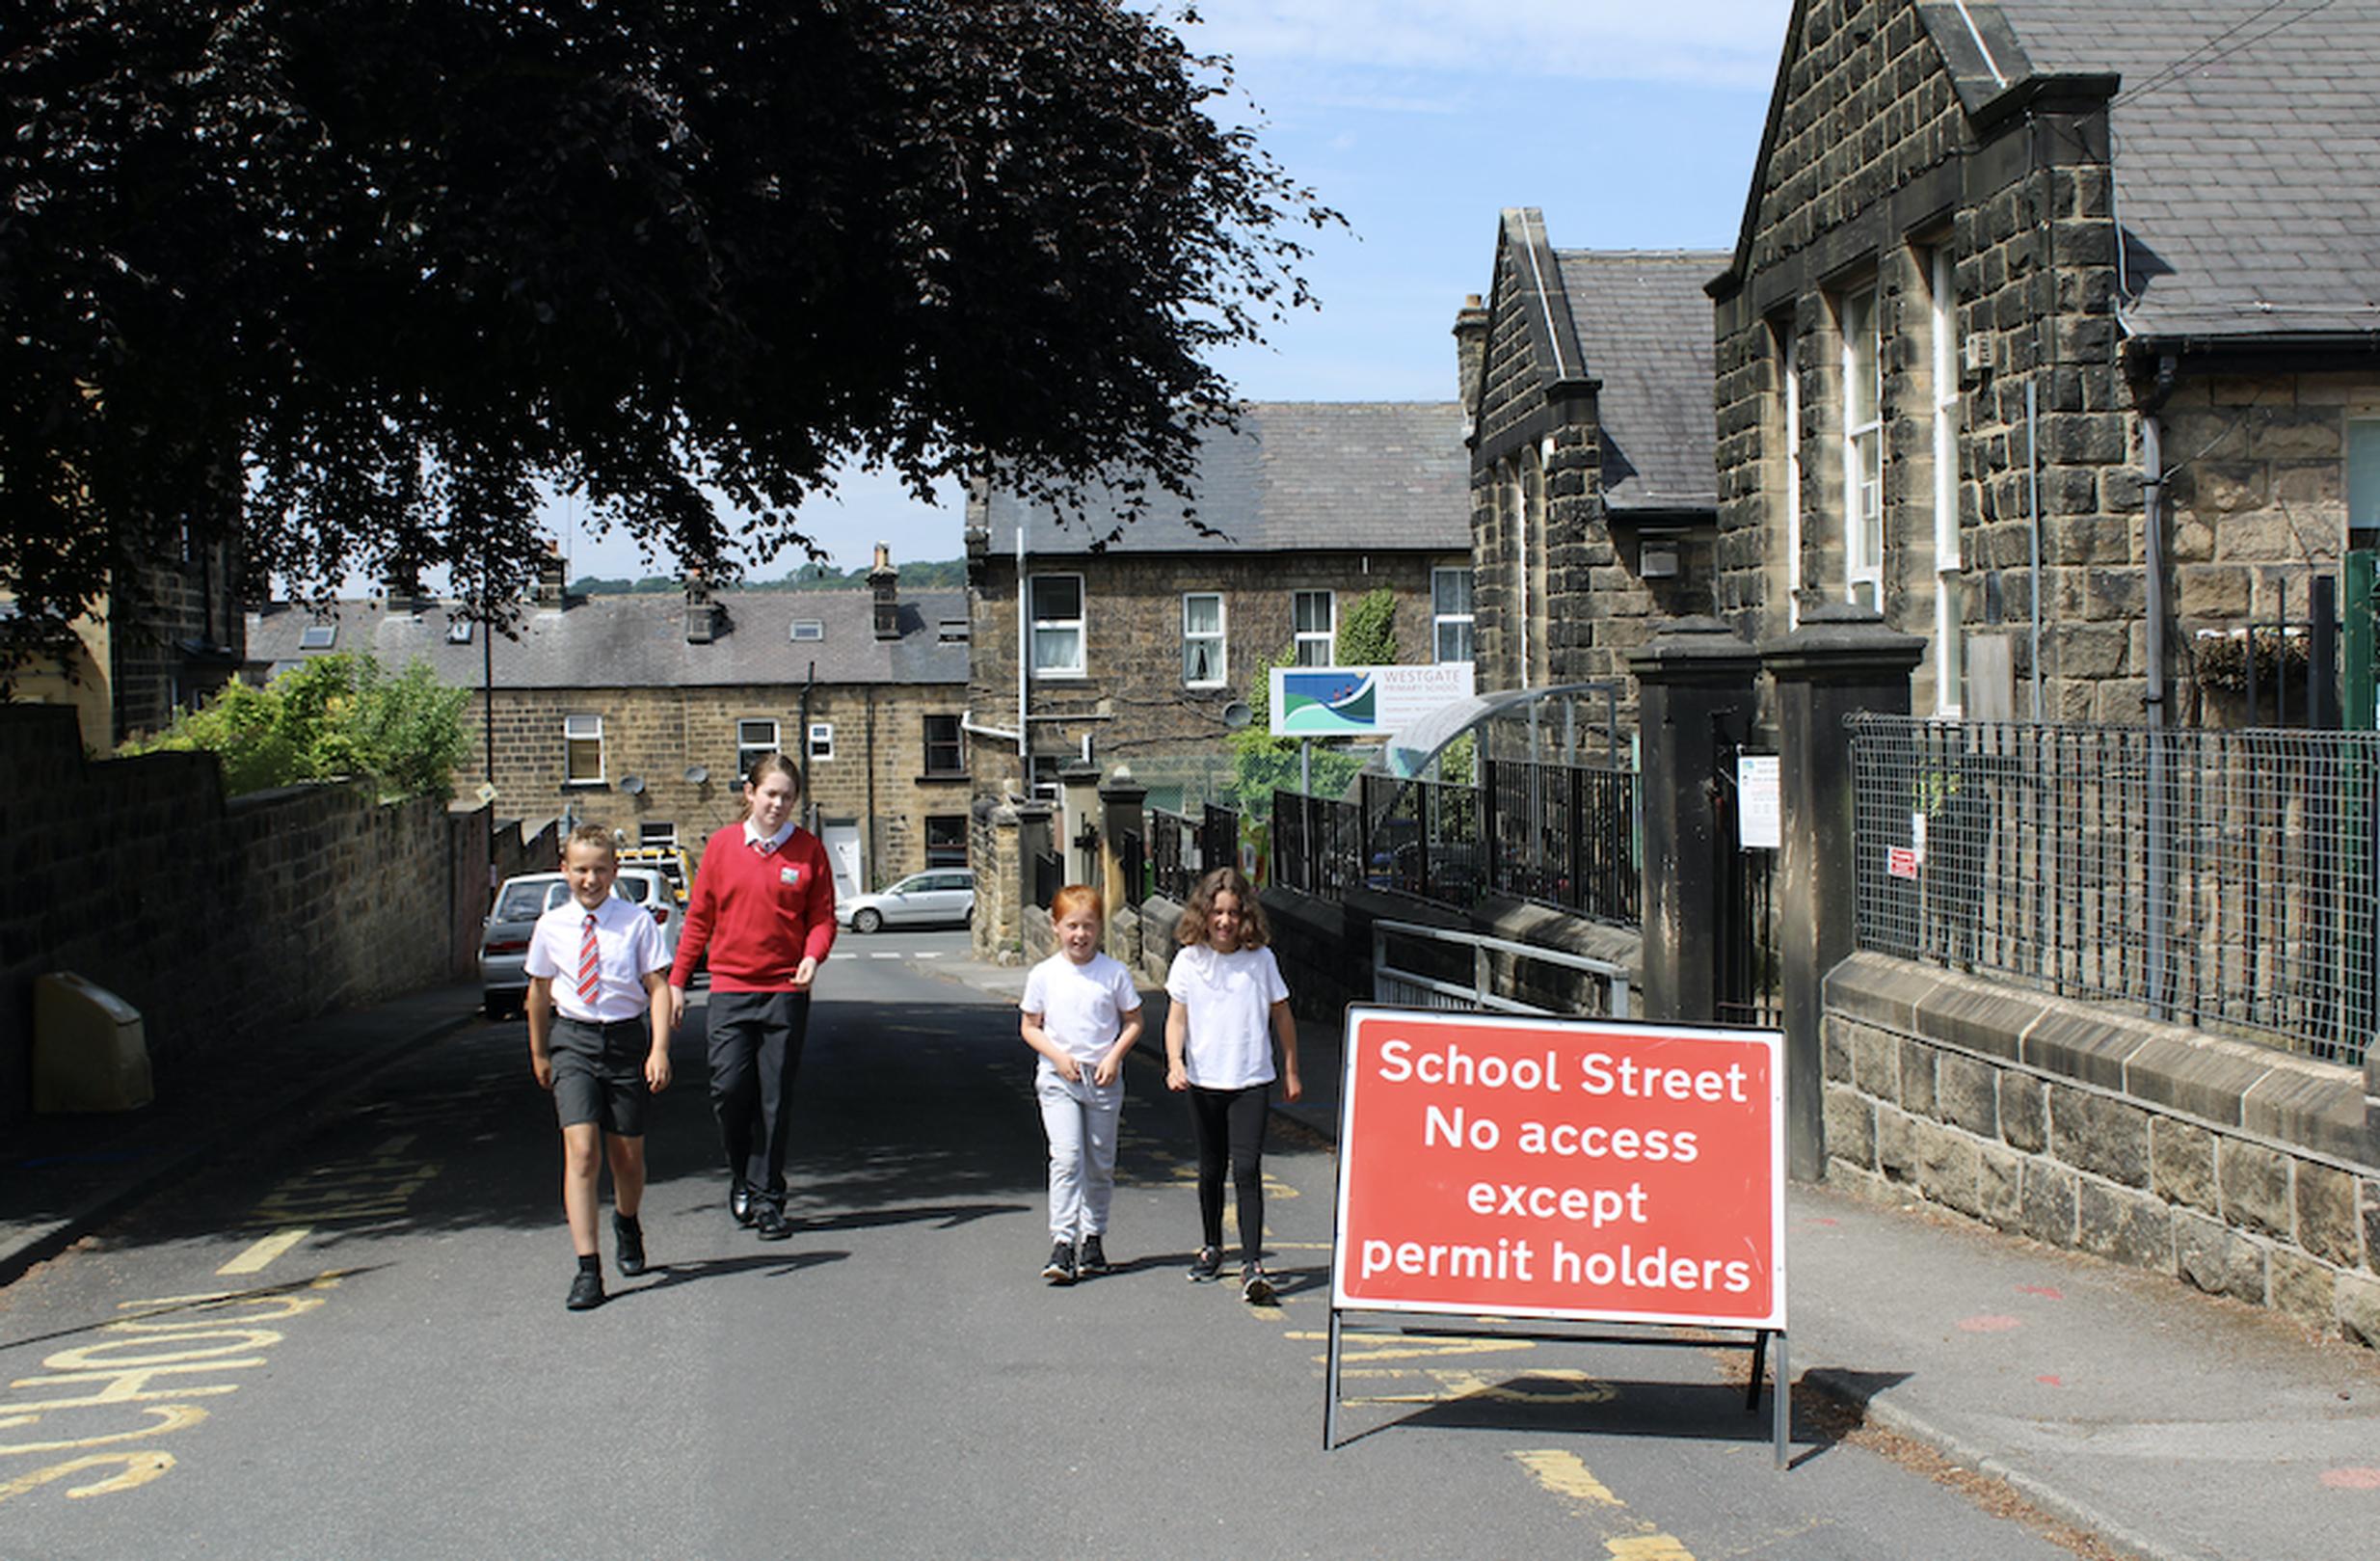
[{"x": 758, "y": 915}]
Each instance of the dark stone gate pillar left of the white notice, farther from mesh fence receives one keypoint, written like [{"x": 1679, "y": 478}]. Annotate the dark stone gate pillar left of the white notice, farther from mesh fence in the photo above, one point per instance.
[{"x": 1696, "y": 696}]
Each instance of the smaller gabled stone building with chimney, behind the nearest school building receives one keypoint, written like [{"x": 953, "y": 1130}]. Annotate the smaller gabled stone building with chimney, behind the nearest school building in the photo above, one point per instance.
[{"x": 1589, "y": 396}]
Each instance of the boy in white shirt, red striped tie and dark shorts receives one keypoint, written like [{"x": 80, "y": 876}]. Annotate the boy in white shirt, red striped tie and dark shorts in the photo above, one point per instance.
[{"x": 601, "y": 963}]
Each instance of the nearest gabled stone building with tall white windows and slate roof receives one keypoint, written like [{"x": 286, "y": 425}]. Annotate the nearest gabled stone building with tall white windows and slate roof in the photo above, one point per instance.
[{"x": 2053, "y": 332}]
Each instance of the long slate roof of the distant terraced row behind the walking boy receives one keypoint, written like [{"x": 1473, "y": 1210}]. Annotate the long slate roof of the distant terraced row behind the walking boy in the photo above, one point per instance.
[{"x": 639, "y": 641}]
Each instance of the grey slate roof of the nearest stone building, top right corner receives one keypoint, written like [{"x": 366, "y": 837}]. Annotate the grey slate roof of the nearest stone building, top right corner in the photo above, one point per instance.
[{"x": 2248, "y": 156}]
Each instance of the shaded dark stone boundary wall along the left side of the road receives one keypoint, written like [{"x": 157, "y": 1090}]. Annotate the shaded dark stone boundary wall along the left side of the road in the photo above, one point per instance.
[{"x": 213, "y": 917}]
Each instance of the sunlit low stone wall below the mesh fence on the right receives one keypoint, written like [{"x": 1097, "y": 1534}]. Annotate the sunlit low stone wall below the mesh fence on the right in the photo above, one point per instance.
[{"x": 2234, "y": 1167}]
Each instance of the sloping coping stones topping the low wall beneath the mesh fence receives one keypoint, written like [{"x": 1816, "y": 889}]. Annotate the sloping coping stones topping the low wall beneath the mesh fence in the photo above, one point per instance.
[{"x": 2281, "y": 1101}]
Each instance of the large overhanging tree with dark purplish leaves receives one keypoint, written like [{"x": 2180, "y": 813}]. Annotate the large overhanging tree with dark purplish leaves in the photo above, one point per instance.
[{"x": 349, "y": 280}]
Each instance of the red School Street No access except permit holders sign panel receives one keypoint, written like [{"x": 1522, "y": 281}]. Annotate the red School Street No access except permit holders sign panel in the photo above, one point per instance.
[{"x": 1572, "y": 1170}]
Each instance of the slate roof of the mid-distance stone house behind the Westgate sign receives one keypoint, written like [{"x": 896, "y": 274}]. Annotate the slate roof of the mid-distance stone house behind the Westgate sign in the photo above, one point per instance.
[{"x": 1298, "y": 477}]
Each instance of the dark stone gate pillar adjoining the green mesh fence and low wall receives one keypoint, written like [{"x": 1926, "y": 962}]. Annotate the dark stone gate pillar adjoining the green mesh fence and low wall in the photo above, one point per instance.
[{"x": 1839, "y": 663}]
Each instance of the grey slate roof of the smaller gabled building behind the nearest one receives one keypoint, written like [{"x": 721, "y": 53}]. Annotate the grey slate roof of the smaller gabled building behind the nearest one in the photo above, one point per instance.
[{"x": 1646, "y": 332}]
